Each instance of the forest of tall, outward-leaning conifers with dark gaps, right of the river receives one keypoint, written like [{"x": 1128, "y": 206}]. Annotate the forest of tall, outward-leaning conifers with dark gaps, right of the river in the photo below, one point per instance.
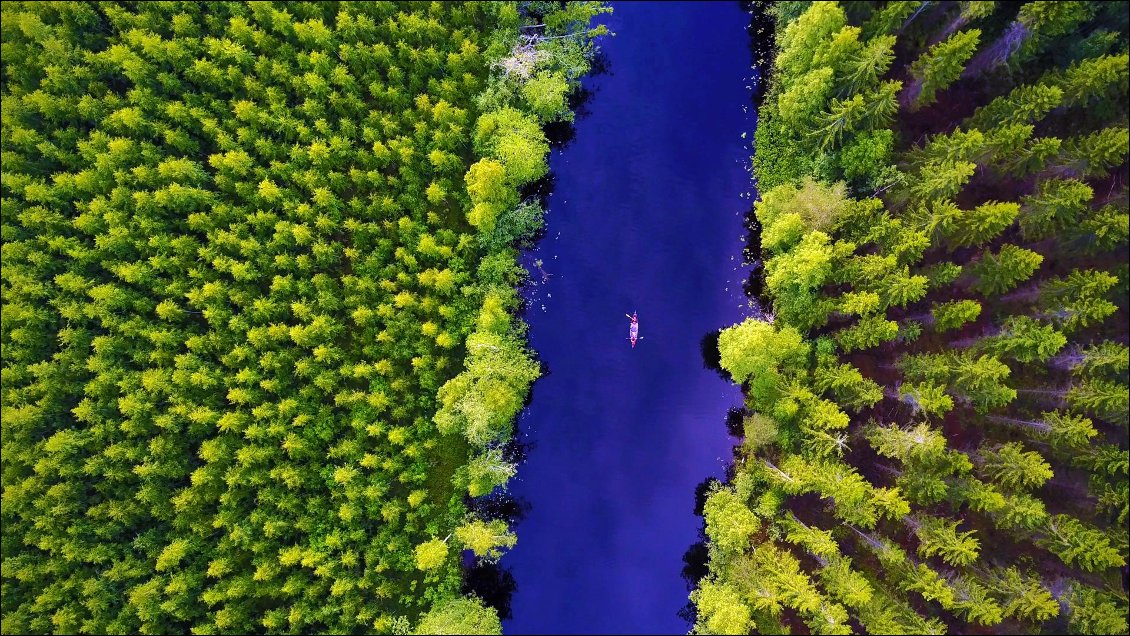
[{"x": 936, "y": 420}]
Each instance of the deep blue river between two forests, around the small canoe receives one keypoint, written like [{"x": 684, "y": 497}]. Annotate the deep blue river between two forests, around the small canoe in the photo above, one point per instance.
[{"x": 646, "y": 215}]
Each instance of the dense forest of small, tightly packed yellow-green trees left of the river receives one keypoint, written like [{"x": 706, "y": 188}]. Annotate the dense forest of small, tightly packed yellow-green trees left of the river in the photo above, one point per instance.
[{"x": 260, "y": 271}]
